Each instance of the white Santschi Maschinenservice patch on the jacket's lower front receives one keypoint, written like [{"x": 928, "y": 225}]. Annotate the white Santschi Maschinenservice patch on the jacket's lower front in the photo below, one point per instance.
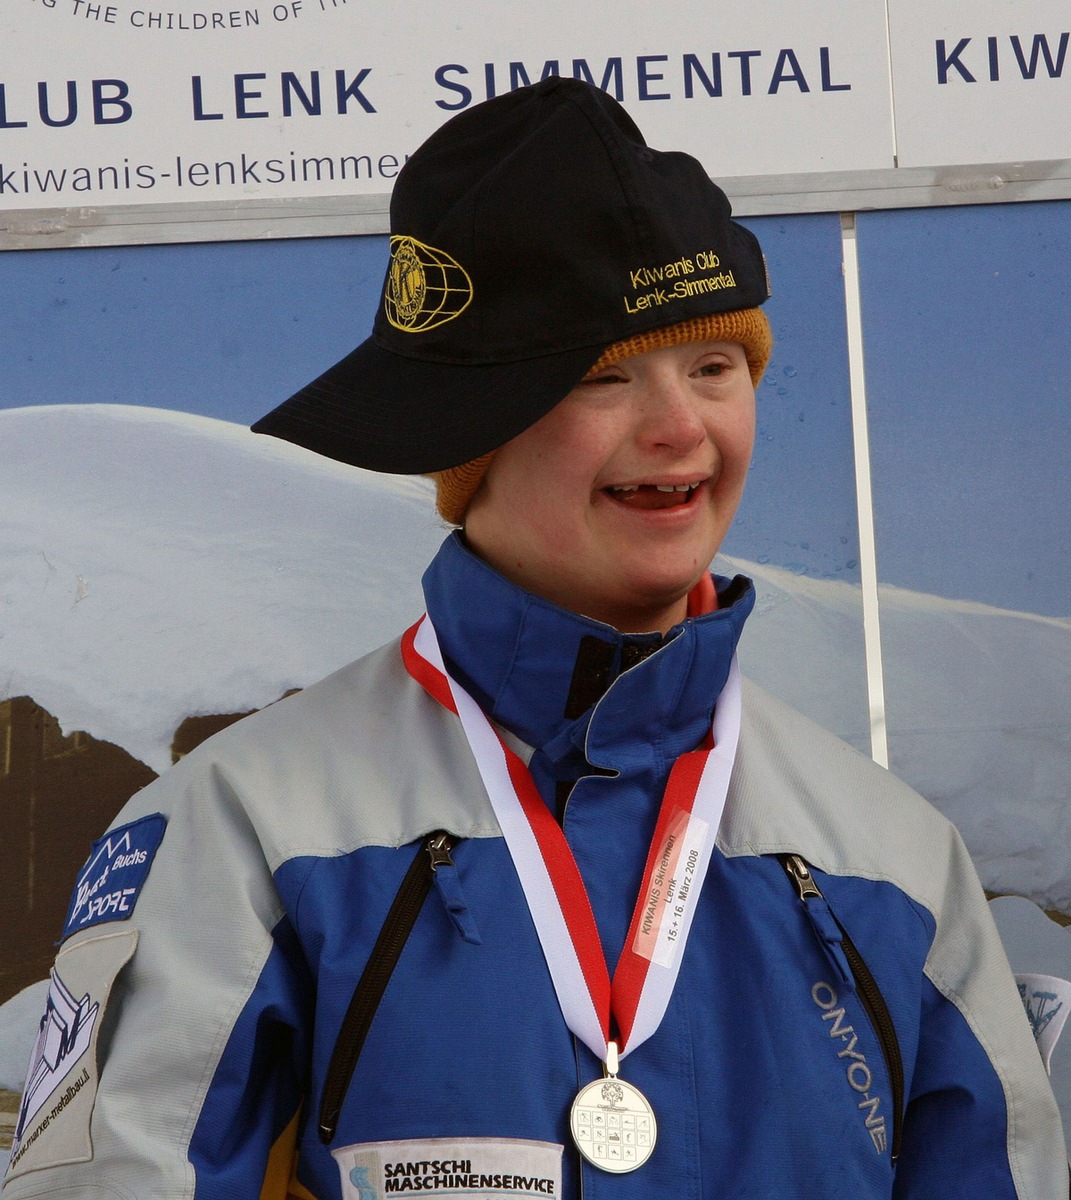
[{"x": 451, "y": 1167}]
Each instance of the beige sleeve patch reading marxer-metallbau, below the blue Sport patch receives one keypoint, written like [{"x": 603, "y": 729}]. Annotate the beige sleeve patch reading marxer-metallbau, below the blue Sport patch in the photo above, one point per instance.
[{"x": 53, "y": 1121}]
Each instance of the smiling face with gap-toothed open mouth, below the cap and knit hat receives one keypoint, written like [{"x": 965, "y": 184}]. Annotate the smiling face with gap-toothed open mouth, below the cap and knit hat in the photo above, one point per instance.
[{"x": 614, "y": 505}]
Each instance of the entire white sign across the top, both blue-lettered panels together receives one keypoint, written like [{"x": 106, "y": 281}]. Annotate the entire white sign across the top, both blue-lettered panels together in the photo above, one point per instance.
[{"x": 136, "y": 106}]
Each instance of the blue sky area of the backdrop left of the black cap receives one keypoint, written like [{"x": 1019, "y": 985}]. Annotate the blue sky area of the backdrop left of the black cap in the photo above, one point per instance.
[{"x": 225, "y": 331}]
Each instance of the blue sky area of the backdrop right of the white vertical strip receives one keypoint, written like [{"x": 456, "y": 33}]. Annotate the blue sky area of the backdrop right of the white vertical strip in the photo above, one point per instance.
[{"x": 966, "y": 332}]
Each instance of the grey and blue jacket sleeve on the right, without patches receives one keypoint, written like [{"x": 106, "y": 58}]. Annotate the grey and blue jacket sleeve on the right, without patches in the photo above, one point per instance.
[{"x": 982, "y": 1119}]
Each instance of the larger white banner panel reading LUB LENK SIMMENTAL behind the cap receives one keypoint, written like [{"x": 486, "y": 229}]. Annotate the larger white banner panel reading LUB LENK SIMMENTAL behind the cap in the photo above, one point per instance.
[{"x": 141, "y": 103}]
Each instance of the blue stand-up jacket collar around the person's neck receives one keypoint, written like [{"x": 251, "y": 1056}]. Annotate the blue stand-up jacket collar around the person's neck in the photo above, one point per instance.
[{"x": 567, "y": 685}]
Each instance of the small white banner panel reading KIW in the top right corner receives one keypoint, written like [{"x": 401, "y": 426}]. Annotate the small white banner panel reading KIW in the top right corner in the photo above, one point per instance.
[{"x": 982, "y": 81}]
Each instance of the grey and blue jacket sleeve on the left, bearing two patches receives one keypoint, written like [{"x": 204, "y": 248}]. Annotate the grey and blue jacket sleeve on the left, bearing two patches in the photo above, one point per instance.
[{"x": 172, "y": 1053}]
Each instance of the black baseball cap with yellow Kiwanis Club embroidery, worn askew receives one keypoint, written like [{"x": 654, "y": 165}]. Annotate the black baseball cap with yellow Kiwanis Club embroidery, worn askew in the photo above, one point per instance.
[{"x": 529, "y": 233}]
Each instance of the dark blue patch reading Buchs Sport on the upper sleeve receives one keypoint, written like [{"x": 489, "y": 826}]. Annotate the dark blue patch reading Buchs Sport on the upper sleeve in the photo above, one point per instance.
[{"x": 118, "y": 866}]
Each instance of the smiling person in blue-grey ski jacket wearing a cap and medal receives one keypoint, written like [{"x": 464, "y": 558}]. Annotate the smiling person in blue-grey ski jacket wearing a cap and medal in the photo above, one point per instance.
[{"x": 541, "y": 899}]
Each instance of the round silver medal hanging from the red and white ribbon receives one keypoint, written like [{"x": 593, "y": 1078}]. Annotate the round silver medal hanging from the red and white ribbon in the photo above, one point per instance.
[{"x": 613, "y": 1124}]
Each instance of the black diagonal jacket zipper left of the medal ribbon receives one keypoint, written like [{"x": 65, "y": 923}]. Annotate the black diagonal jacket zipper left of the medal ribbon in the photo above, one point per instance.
[{"x": 402, "y": 917}]
